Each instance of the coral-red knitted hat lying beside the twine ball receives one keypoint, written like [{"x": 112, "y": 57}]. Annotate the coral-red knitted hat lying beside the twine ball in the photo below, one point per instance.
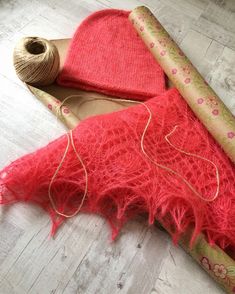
[{"x": 106, "y": 55}]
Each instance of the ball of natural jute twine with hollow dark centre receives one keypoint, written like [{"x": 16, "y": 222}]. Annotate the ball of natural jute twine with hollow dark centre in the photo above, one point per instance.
[{"x": 36, "y": 61}]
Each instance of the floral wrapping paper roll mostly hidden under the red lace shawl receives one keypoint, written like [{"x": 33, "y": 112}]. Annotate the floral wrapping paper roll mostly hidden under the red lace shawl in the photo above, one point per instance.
[{"x": 212, "y": 258}]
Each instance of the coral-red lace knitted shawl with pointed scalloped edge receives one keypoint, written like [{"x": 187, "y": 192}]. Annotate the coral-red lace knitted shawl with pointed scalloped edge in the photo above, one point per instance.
[{"x": 123, "y": 182}]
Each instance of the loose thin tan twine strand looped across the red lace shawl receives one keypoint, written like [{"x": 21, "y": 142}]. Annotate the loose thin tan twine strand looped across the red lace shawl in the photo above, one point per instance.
[{"x": 121, "y": 101}]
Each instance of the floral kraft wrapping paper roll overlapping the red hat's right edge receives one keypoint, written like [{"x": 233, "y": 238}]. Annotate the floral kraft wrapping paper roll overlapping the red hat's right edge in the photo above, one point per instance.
[{"x": 204, "y": 102}]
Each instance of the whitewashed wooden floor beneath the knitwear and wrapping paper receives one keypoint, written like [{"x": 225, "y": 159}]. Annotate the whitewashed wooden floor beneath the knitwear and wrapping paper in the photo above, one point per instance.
[{"x": 81, "y": 259}]
